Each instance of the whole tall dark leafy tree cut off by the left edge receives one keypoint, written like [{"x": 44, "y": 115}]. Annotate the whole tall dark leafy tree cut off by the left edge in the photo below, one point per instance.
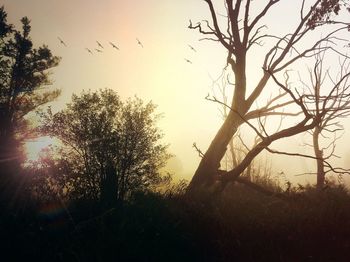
[{"x": 23, "y": 71}]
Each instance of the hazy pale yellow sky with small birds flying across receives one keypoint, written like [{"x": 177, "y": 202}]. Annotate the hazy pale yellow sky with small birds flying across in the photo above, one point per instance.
[{"x": 157, "y": 72}]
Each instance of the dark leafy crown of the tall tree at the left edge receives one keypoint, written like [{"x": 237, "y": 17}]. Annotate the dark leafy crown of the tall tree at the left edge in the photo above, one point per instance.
[{"x": 23, "y": 71}]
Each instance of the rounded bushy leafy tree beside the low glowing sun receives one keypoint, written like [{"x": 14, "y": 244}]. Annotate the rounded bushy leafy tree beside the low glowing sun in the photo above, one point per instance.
[{"x": 112, "y": 148}]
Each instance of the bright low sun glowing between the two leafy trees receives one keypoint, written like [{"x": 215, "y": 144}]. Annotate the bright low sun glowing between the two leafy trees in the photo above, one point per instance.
[{"x": 33, "y": 147}]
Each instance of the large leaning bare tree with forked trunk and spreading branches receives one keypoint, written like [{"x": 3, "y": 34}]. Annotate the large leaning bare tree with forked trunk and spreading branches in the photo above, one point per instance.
[{"x": 237, "y": 35}]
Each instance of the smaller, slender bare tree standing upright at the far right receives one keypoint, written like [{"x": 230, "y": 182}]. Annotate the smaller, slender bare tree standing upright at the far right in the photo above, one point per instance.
[{"x": 336, "y": 107}]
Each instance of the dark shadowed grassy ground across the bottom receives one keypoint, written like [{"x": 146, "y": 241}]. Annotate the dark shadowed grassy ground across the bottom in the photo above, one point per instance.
[{"x": 238, "y": 225}]
